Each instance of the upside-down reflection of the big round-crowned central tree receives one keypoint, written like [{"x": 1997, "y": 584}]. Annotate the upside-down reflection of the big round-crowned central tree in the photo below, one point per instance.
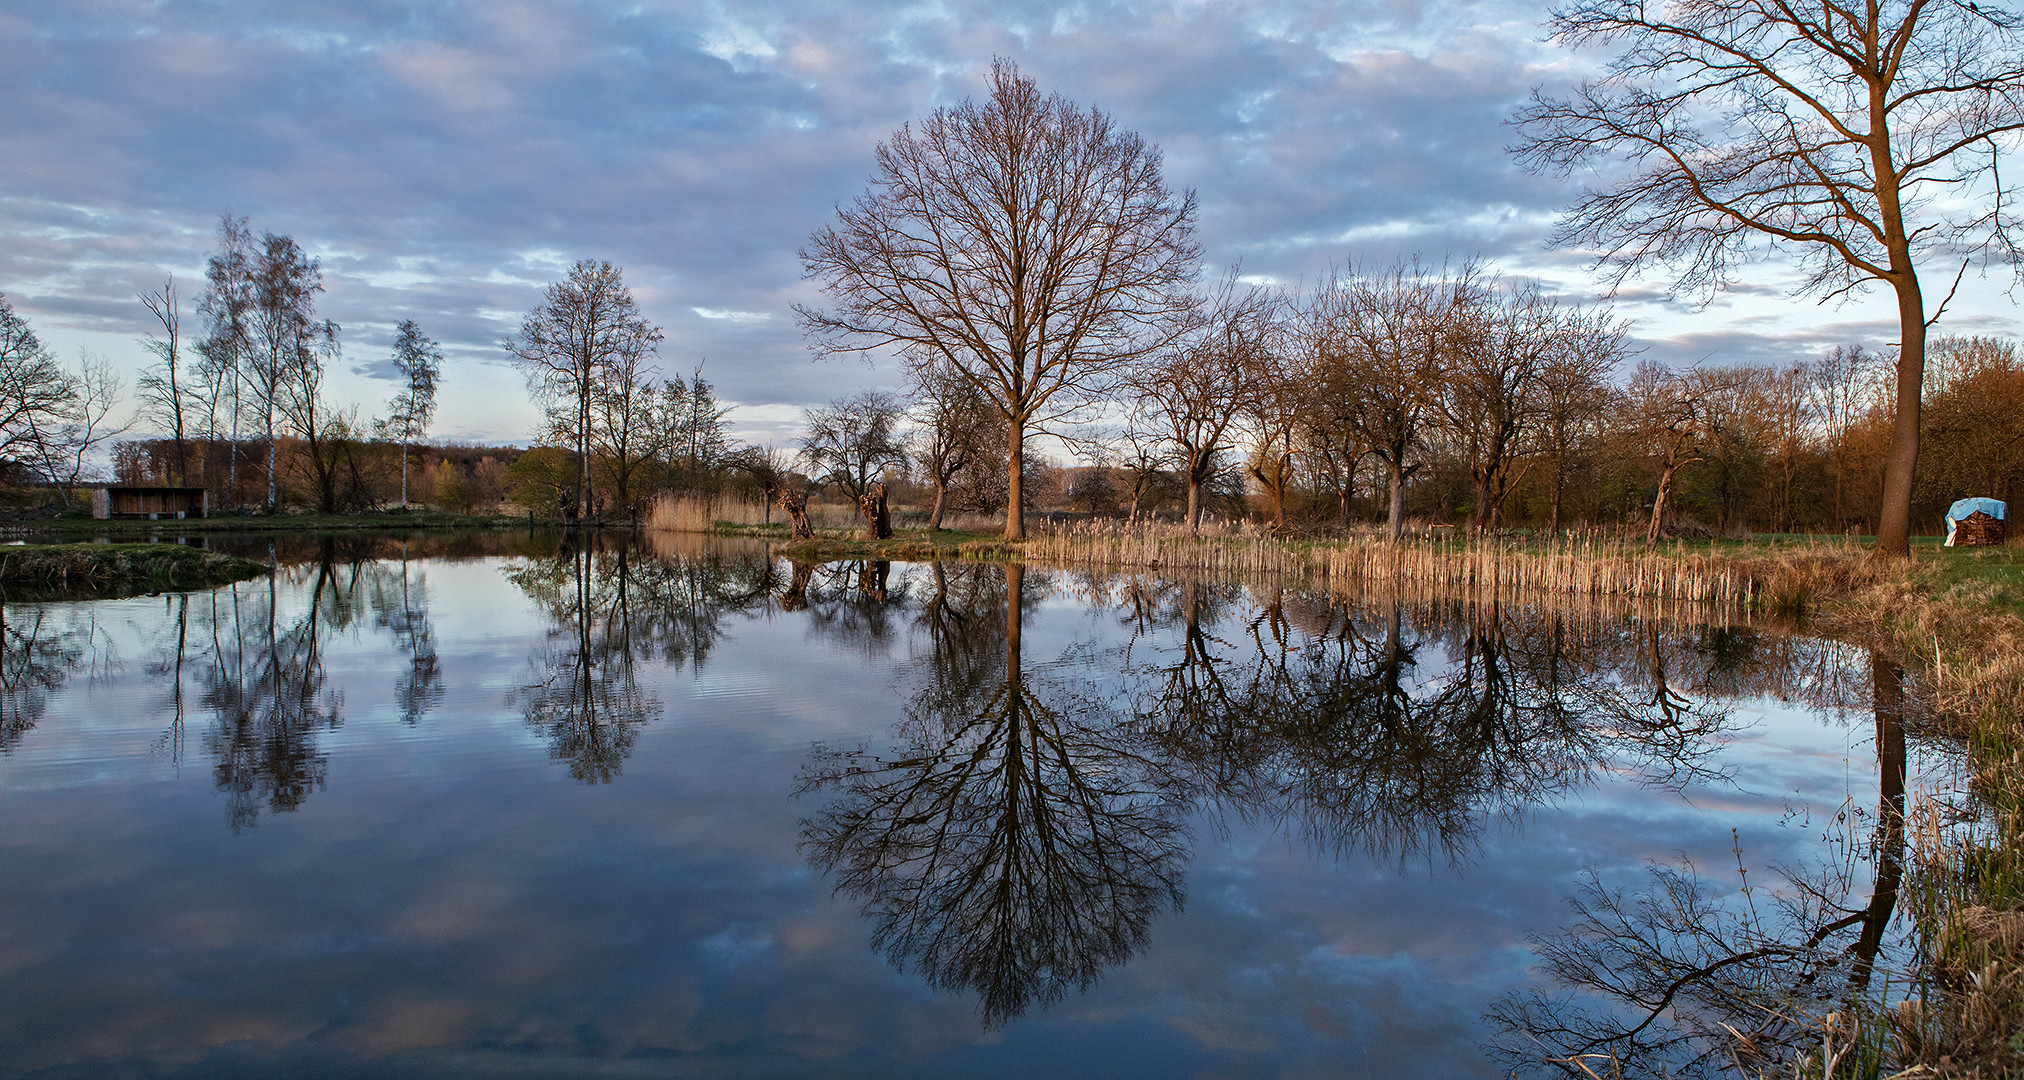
[{"x": 1017, "y": 844}]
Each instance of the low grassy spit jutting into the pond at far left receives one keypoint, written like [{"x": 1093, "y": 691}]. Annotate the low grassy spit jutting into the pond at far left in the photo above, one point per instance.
[{"x": 104, "y": 571}]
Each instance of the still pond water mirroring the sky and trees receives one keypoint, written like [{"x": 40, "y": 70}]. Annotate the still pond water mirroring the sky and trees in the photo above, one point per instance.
[{"x": 507, "y": 806}]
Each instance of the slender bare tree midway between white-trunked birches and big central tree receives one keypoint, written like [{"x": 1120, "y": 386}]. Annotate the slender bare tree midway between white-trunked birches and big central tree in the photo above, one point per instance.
[{"x": 566, "y": 347}]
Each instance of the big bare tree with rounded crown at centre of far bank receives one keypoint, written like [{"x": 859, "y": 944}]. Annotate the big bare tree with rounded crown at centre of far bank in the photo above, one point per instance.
[{"x": 1025, "y": 244}]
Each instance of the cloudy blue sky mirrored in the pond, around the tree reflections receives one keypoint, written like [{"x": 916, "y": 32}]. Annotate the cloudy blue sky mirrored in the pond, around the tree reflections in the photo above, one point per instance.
[{"x": 456, "y": 897}]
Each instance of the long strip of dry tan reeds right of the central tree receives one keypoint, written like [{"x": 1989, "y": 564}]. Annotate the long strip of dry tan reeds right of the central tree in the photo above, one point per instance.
[{"x": 1570, "y": 567}]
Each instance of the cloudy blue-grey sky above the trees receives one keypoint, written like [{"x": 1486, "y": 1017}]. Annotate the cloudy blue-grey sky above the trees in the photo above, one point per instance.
[{"x": 448, "y": 161}]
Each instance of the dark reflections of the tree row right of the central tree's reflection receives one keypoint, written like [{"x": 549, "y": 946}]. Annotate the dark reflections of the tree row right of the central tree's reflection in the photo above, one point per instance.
[{"x": 1335, "y": 719}]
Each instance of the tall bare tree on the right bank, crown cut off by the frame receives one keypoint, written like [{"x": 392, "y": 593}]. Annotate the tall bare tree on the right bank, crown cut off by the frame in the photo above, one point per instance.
[{"x": 1859, "y": 139}]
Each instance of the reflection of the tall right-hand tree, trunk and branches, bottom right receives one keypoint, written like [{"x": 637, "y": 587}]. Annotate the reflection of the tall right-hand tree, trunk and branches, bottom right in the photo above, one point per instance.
[{"x": 1679, "y": 982}]
